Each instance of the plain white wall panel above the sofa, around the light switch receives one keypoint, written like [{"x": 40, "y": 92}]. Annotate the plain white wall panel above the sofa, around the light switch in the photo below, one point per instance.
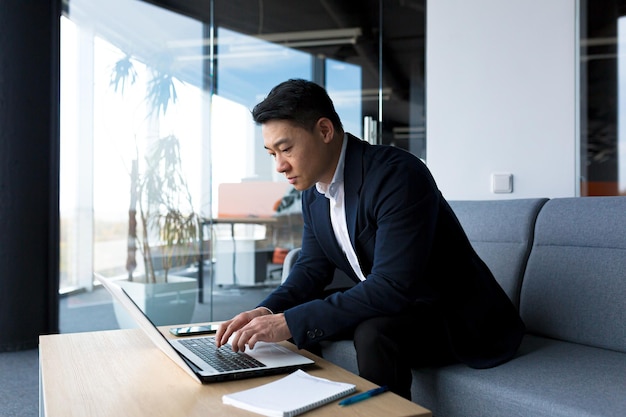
[{"x": 501, "y": 79}]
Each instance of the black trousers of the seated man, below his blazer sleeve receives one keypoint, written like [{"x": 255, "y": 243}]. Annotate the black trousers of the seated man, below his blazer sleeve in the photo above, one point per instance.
[{"x": 388, "y": 347}]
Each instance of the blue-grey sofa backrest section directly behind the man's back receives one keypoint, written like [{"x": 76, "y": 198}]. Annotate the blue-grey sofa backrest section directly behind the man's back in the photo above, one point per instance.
[{"x": 501, "y": 232}]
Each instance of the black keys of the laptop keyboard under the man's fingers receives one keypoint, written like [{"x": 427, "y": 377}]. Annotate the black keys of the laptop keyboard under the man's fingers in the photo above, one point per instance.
[{"x": 222, "y": 359}]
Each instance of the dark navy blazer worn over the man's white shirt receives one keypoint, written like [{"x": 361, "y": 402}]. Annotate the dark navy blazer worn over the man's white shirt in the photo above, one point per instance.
[{"x": 411, "y": 249}]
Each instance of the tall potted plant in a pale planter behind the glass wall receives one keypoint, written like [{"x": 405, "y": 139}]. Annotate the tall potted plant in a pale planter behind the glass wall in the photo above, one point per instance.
[{"x": 162, "y": 222}]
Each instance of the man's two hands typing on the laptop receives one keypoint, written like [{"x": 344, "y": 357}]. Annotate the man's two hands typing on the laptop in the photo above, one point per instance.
[{"x": 253, "y": 326}]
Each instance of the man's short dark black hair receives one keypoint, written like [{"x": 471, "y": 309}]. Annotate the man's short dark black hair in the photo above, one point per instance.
[{"x": 299, "y": 101}]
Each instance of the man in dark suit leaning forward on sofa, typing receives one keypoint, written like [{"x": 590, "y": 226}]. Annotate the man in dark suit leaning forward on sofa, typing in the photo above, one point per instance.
[{"x": 422, "y": 296}]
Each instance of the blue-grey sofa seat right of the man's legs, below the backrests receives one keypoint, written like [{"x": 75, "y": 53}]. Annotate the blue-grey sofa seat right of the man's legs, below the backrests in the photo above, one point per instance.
[{"x": 547, "y": 378}]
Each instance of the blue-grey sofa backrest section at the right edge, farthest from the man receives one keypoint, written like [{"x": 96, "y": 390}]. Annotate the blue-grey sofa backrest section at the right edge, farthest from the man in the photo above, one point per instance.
[{"x": 574, "y": 288}]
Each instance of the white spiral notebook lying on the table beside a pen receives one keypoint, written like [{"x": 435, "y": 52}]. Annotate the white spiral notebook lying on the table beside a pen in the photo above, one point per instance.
[{"x": 289, "y": 396}]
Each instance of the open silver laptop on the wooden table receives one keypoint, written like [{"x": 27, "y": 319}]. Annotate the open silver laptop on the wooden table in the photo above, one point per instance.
[{"x": 199, "y": 357}]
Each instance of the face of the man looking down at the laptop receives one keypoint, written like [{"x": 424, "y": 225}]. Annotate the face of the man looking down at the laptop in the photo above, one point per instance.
[{"x": 304, "y": 157}]
